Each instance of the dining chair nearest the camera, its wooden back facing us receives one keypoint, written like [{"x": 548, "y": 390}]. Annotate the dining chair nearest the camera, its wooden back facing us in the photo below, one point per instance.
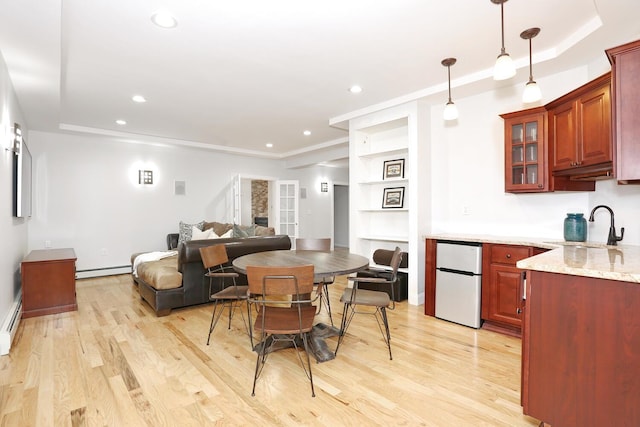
[{"x": 277, "y": 321}]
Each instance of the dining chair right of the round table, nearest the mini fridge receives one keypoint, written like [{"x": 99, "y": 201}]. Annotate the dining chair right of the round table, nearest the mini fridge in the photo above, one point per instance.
[{"x": 354, "y": 297}]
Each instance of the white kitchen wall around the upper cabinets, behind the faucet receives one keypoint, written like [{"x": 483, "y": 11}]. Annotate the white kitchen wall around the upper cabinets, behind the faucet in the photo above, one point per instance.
[{"x": 467, "y": 167}]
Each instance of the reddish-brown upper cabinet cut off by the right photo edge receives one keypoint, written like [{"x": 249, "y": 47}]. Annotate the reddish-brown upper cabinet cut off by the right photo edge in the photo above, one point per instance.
[{"x": 625, "y": 70}]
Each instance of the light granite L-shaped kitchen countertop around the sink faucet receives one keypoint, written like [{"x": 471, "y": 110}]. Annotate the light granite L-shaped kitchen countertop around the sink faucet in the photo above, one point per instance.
[{"x": 587, "y": 259}]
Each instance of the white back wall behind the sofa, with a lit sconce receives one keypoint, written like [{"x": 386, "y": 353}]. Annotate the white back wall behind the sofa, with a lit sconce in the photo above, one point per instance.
[{"x": 86, "y": 194}]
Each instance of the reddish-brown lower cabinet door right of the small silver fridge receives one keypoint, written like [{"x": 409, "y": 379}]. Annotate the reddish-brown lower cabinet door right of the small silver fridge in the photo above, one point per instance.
[{"x": 506, "y": 298}]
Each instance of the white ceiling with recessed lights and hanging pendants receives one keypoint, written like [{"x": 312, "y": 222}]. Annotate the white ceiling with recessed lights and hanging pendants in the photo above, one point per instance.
[{"x": 236, "y": 75}]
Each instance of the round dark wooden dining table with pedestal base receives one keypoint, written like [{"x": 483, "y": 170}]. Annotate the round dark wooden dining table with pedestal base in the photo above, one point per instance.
[{"x": 326, "y": 264}]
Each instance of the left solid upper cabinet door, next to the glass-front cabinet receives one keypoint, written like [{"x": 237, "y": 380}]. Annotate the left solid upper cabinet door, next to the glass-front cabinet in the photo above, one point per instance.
[{"x": 563, "y": 128}]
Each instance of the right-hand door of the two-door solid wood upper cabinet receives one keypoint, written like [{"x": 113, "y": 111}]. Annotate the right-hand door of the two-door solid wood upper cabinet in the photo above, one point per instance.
[{"x": 594, "y": 112}]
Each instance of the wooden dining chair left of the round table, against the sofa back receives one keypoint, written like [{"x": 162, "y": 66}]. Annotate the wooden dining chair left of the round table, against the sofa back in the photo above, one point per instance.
[{"x": 215, "y": 261}]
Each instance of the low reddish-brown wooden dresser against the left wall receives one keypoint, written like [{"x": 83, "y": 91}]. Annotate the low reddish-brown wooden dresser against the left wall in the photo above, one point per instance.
[{"x": 48, "y": 282}]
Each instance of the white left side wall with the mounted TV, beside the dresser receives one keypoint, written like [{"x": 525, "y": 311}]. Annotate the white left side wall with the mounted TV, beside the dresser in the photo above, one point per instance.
[{"x": 13, "y": 230}]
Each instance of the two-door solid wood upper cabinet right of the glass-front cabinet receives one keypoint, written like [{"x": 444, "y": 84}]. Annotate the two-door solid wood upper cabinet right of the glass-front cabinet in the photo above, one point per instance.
[{"x": 580, "y": 131}]
